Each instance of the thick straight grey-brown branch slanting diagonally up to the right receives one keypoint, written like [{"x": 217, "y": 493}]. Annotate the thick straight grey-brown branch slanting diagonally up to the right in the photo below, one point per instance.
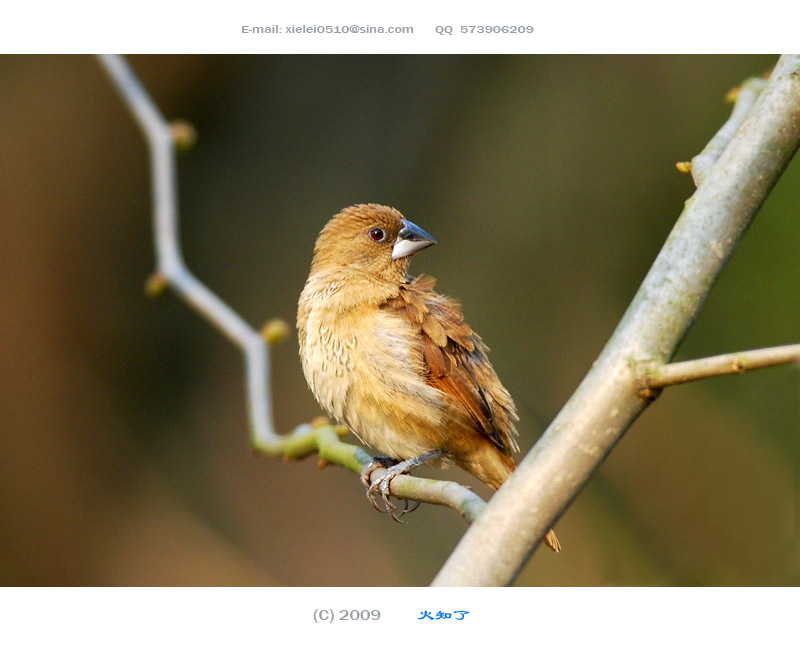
[{"x": 497, "y": 546}]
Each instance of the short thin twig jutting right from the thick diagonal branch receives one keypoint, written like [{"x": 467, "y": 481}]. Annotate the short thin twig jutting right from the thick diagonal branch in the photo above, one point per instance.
[{"x": 659, "y": 375}]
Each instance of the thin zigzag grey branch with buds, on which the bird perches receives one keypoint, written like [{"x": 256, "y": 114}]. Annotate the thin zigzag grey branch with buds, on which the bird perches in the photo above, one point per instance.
[{"x": 173, "y": 272}]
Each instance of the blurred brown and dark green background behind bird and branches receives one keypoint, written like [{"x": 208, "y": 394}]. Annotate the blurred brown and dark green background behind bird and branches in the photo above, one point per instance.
[{"x": 550, "y": 183}]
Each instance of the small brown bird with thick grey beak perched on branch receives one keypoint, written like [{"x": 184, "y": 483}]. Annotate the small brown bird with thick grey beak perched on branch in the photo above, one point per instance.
[{"x": 393, "y": 360}]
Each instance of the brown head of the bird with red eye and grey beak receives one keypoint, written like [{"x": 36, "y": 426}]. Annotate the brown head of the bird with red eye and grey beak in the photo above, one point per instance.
[{"x": 371, "y": 238}]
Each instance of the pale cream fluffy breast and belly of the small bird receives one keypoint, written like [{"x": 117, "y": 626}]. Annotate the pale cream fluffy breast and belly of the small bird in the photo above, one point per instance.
[{"x": 365, "y": 368}]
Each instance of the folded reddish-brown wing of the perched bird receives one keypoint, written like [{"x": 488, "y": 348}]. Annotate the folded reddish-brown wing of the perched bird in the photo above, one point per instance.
[{"x": 456, "y": 360}]
